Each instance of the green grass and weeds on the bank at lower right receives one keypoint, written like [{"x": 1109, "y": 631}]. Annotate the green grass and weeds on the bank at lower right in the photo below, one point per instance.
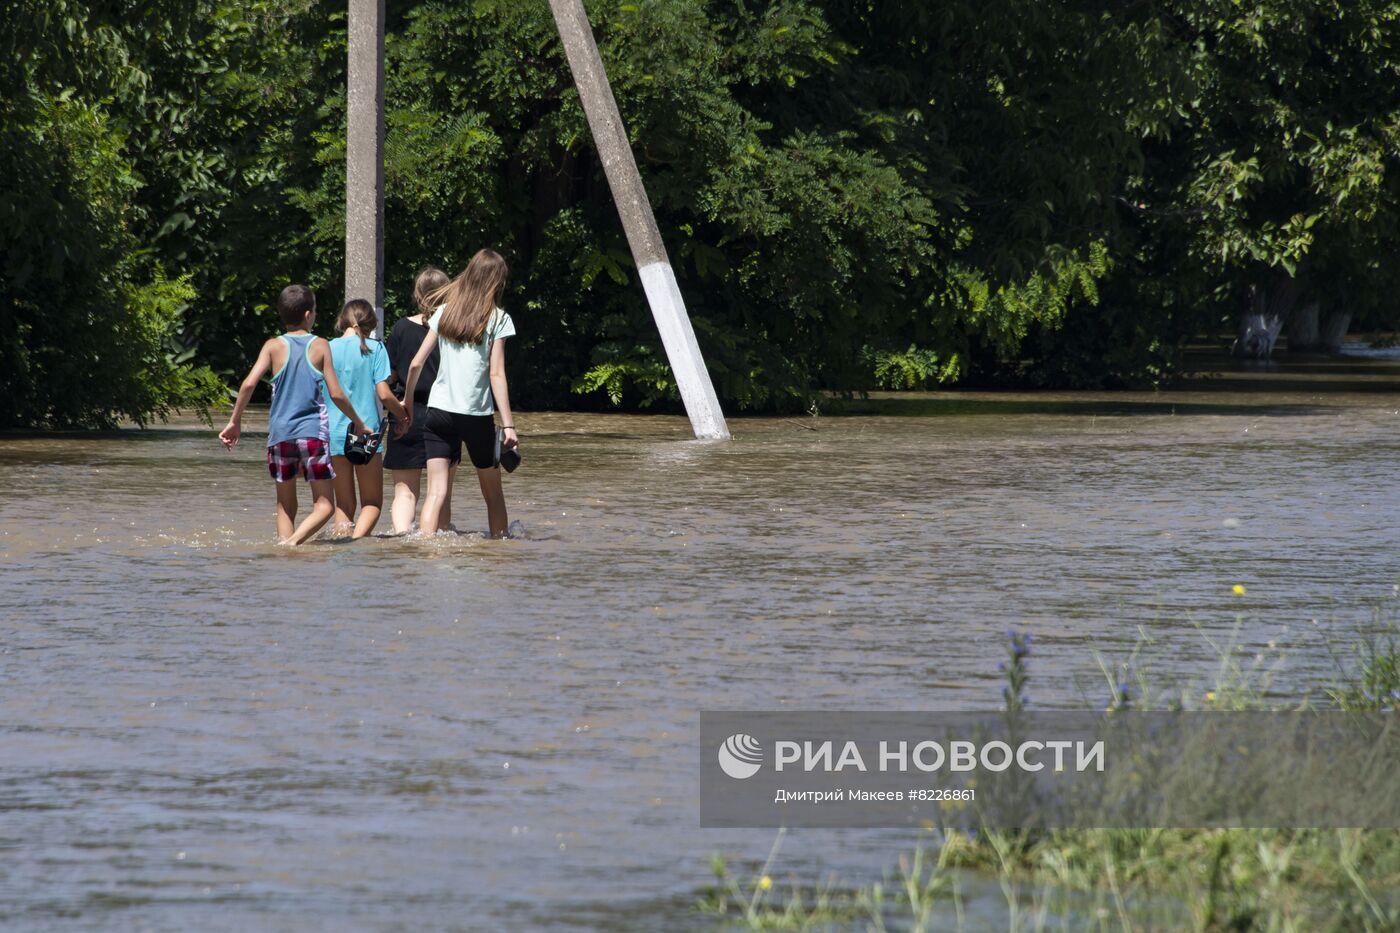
[{"x": 1207, "y": 880}]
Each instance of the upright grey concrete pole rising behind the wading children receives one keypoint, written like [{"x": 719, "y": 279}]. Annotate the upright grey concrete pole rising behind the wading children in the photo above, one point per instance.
[{"x": 365, "y": 158}]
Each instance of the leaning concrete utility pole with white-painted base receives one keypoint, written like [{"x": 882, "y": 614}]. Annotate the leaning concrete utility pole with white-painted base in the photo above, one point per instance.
[{"x": 657, "y": 278}]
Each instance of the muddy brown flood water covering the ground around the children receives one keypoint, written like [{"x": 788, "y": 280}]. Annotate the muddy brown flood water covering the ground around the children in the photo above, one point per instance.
[{"x": 204, "y": 731}]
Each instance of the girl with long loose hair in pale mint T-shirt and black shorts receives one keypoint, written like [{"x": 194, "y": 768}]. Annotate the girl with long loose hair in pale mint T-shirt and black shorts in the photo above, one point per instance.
[{"x": 470, "y": 330}]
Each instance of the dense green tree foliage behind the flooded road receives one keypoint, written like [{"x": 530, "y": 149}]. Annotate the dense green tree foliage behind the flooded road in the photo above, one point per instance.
[{"x": 855, "y": 195}]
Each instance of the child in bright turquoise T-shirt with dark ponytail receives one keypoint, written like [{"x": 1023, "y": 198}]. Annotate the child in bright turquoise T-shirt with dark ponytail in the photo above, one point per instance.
[{"x": 363, "y": 368}]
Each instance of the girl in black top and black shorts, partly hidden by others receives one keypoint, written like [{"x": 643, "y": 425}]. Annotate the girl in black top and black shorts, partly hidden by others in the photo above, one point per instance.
[{"x": 407, "y": 456}]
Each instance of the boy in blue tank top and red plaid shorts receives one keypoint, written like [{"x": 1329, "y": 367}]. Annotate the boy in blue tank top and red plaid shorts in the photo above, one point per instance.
[{"x": 297, "y": 424}]
